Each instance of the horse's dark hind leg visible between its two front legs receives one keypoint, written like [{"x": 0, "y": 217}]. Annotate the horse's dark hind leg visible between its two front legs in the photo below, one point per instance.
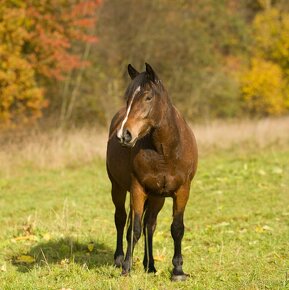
[{"x": 154, "y": 205}]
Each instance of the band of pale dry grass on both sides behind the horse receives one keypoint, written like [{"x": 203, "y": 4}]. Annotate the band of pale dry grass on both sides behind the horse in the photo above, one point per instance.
[{"x": 59, "y": 148}]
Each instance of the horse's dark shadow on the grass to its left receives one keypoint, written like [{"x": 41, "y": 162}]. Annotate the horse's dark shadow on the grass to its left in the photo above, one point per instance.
[{"x": 66, "y": 251}]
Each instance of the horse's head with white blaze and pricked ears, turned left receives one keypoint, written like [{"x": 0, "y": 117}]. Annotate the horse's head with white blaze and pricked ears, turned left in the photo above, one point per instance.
[{"x": 143, "y": 105}]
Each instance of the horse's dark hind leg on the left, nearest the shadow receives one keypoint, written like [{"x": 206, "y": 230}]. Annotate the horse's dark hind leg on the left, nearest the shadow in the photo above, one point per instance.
[{"x": 118, "y": 198}]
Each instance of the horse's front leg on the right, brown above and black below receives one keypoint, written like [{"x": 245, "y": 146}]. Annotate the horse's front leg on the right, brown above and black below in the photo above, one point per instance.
[{"x": 177, "y": 231}]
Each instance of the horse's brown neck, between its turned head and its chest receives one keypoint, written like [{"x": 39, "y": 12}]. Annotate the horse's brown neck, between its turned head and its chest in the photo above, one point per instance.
[{"x": 166, "y": 135}]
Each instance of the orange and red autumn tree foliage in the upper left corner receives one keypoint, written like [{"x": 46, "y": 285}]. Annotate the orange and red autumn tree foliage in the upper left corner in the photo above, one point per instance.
[{"x": 37, "y": 40}]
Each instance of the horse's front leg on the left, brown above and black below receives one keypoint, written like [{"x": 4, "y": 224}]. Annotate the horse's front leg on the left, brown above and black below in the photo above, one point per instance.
[{"x": 137, "y": 200}]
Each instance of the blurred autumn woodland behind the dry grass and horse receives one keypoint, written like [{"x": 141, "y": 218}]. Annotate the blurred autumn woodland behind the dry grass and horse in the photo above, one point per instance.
[{"x": 63, "y": 62}]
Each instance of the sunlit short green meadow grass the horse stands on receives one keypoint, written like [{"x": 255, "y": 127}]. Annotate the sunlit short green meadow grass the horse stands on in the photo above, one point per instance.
[{"x": 237, "y": 227}]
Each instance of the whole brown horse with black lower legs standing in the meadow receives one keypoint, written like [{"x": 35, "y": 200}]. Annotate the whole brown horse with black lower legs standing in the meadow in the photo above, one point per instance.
[{"x": 151, "y": 153}]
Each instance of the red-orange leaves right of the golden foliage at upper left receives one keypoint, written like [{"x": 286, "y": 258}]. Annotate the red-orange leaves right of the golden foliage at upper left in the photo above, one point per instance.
[{"x": 53, "y": 28}]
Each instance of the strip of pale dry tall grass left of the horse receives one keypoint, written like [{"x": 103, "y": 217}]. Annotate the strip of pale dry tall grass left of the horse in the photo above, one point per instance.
[{"x": 53, "y": 149}]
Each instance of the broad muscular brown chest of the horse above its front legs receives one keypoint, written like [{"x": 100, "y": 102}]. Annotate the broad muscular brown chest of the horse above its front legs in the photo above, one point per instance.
[{"x": 157, "y": 176}]
